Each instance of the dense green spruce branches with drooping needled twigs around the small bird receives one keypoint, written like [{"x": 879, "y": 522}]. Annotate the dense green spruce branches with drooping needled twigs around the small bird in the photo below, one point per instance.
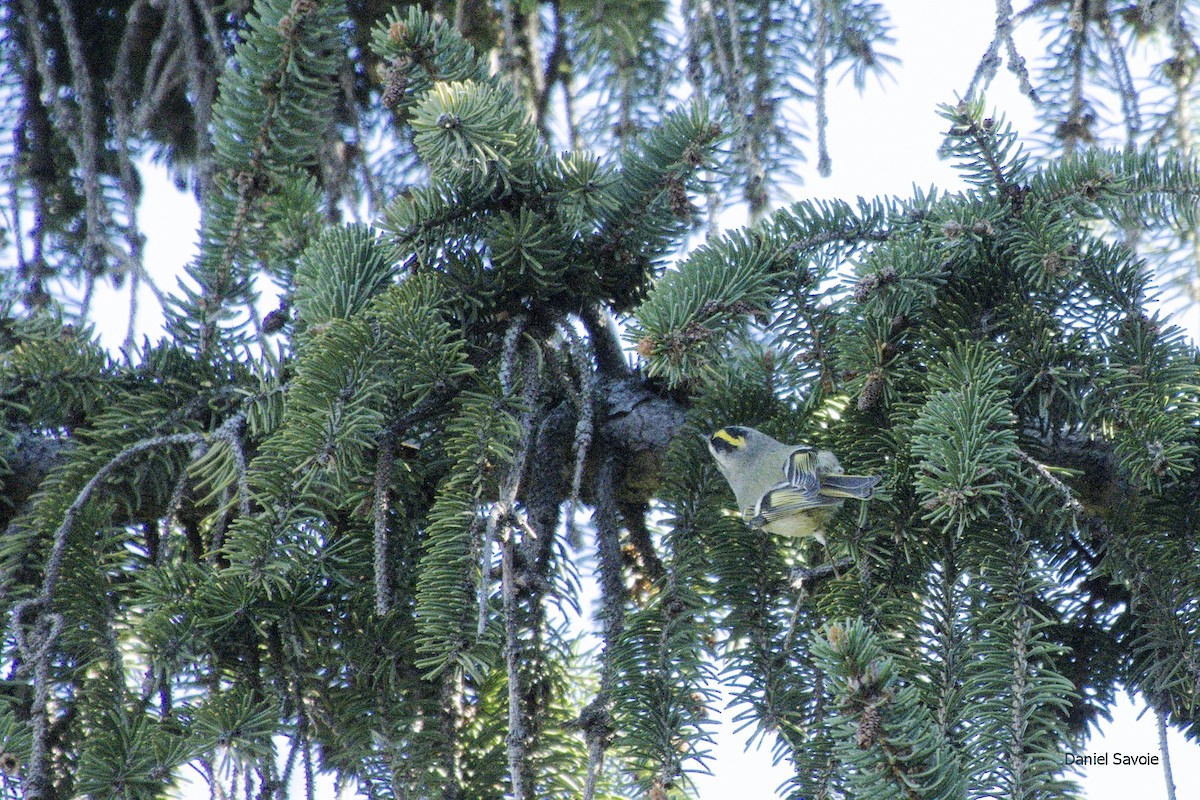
[{"x": 355, "y": 549}]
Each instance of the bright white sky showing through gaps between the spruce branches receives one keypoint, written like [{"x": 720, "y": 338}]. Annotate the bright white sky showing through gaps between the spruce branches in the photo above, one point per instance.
[{"x": 883, "y": 143}]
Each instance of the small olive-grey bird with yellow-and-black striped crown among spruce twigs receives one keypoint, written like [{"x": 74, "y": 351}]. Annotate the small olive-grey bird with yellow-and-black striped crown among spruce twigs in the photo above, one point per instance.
[{"x": 790, "y": 490}]
